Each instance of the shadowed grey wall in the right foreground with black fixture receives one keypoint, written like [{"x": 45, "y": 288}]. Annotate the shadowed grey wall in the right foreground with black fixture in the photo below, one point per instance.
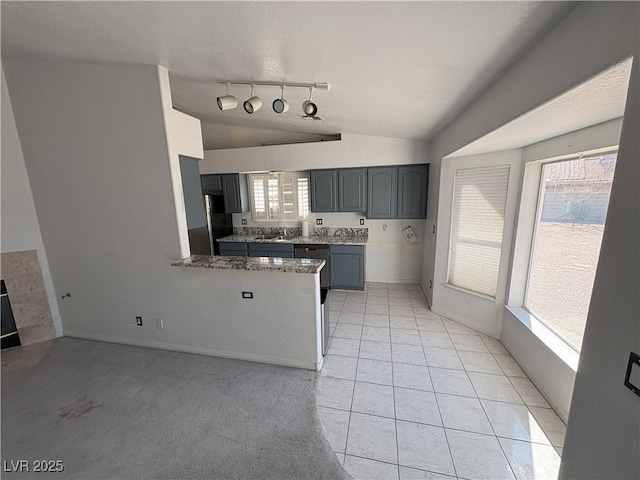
[{"x": 603, "y": 433}]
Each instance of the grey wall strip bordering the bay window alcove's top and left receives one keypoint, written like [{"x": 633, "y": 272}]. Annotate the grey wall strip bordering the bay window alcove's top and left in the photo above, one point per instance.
[{"x": 566, "y": 56}]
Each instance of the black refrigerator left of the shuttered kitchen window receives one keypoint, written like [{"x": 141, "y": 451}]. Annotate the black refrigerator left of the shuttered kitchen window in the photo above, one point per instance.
[{"x": 219, "y": 224}]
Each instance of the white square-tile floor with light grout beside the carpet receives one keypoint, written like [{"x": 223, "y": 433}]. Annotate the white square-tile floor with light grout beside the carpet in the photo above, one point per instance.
[{"x": 408, "y": 394}]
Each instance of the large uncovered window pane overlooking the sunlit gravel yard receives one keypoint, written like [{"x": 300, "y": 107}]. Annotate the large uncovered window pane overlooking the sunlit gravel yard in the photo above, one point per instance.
[{"x": 574, "y": 197}]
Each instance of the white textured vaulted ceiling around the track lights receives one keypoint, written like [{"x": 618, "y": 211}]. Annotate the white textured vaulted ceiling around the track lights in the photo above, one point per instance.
[{"x": 398, "y": 69}]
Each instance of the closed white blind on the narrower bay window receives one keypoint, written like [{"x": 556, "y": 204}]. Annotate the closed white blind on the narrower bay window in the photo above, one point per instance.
[{"x": 477, "y": 224}]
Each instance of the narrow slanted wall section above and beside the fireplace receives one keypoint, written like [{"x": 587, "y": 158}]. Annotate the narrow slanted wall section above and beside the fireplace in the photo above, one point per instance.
[{"x": 20, "y": 229}]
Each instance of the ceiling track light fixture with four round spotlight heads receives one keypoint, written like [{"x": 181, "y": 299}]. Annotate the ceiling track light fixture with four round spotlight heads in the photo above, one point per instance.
[{"x": 280, "y": 105}]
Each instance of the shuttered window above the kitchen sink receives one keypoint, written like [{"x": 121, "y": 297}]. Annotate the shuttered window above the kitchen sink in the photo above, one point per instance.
[{"x": 279, "y": 196}]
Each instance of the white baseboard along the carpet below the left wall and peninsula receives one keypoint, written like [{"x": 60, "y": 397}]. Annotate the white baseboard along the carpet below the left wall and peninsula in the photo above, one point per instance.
[{"x": 187, "y": 349}]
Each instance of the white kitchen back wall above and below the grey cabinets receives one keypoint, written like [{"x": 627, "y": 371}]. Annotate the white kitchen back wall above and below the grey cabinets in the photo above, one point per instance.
[{"x": 388, "y": 257}]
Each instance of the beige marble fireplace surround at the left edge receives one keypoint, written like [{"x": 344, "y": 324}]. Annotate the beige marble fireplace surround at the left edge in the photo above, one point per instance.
[{"x": 23, "y": 276}]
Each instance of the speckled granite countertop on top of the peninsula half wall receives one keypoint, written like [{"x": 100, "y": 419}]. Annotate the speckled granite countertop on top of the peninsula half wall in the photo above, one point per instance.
[{"x": 259, "y": 264}]
